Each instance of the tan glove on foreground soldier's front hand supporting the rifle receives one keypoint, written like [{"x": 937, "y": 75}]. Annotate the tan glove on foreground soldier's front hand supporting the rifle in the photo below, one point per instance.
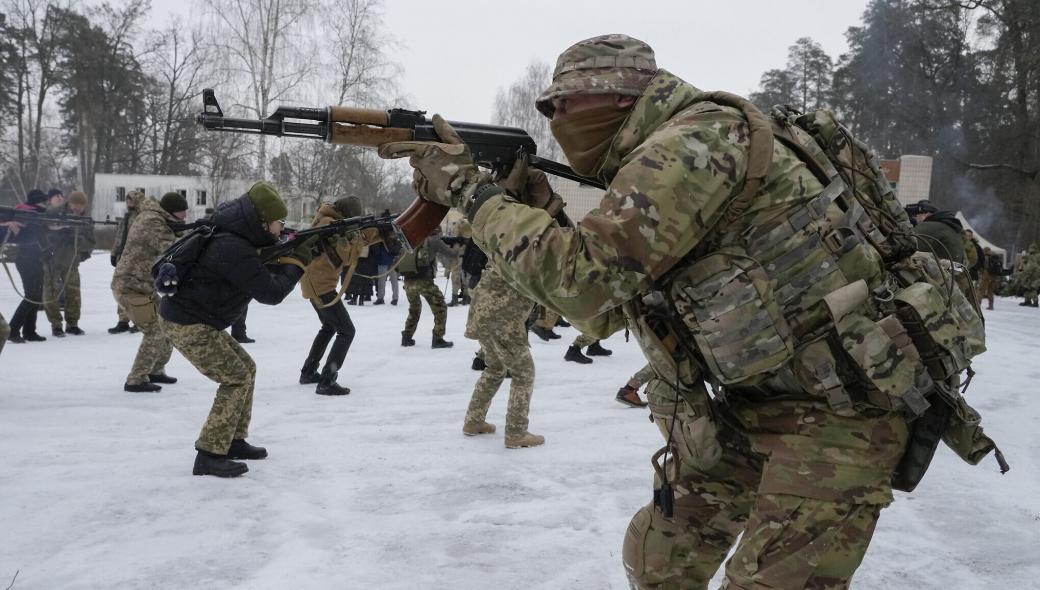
[{"x": 445, "y": 172}]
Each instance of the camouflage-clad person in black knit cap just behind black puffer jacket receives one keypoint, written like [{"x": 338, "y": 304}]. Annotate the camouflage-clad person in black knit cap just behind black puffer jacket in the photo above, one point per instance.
[{"x": 135, "y": 290}]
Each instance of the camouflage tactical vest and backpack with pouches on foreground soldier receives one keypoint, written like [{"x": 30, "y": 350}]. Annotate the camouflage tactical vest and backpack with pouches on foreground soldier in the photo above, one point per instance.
[{"x": 835, "y": 293}]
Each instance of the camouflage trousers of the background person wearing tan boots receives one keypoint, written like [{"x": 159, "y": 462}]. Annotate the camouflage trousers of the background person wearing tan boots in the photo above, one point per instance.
[{"x": 505, "y": 351}]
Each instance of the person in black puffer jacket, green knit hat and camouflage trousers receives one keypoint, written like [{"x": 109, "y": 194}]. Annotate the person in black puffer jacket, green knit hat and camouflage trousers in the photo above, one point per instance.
[{"x": 227, "y": 276}]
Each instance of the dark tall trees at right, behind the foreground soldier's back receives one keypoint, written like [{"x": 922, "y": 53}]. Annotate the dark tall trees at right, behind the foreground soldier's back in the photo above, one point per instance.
[{"x": 956, "y": 81}]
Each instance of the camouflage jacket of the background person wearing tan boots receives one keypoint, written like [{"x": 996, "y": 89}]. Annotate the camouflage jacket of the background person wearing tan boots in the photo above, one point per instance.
[{"x": 497, "y": 307}]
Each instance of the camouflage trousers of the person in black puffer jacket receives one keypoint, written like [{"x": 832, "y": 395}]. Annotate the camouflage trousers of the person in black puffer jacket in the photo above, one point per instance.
[{"x": 218, "y": 356}]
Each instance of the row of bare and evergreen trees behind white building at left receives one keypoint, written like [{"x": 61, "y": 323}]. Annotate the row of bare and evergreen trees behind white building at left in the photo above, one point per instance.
[{"x": 86, "y": 91}]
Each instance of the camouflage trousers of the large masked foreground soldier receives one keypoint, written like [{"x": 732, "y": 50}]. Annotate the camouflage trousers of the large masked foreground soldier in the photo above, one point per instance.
[{"x": 807, "y": 524}]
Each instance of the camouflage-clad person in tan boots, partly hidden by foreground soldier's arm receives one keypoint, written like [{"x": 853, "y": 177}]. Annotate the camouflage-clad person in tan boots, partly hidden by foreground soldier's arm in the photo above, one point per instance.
[{"x": 498, "y": 318}]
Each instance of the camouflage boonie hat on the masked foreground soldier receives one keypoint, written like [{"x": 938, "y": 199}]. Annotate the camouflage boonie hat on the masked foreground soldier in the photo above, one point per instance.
[{"x": 606, "y": 65}]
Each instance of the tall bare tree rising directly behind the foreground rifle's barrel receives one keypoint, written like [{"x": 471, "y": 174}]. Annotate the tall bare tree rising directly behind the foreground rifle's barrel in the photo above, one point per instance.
[{"x": 264, "y": 43}]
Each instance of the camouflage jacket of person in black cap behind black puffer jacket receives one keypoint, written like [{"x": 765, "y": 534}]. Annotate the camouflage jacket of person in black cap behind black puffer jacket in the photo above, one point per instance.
[{"x": 149, "y": 237}]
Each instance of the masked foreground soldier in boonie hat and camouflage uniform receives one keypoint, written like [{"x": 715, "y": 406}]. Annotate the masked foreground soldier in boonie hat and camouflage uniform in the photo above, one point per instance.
[{"x": 786, "y": 463}]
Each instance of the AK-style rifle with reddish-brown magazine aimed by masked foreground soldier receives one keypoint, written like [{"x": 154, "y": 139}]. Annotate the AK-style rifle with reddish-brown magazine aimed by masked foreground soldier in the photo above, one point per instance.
[{"x": 492, "y": 146}]
